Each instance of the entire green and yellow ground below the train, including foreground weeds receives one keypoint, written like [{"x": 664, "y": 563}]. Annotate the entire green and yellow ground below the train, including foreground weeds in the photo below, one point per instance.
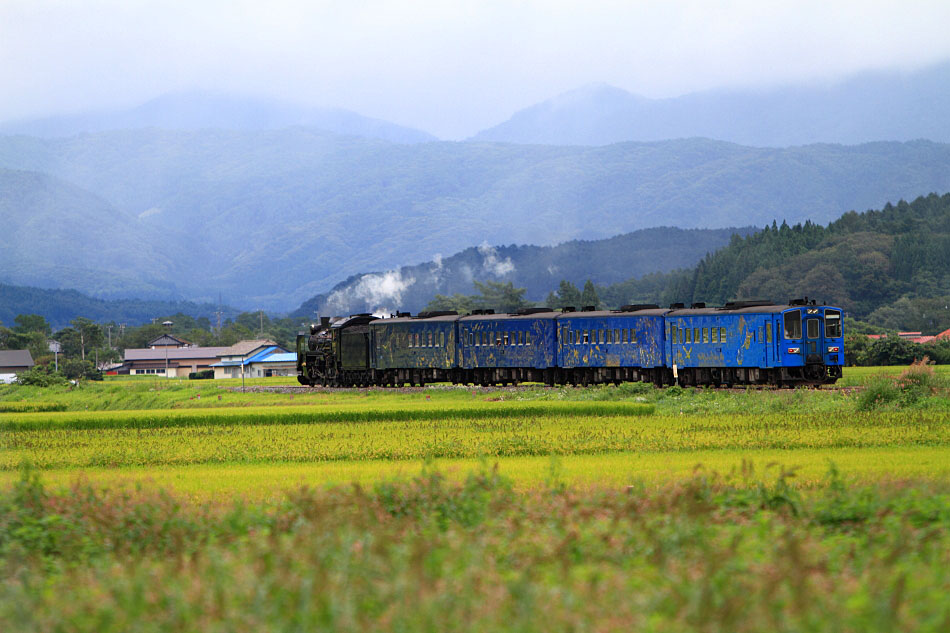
[{"x": 176, "y": 505}]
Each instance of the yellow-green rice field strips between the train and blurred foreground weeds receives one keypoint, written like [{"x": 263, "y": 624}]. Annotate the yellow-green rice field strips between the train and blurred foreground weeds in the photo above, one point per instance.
[{"x": 203, "y": 438}]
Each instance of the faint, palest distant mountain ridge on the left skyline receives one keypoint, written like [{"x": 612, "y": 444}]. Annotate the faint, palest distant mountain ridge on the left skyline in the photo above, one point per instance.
[{"x": 205, "y": 110}]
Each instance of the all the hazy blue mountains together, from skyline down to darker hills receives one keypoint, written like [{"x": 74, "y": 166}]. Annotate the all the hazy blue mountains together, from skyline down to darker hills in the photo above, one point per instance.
[{"x": 268, "y": 204}]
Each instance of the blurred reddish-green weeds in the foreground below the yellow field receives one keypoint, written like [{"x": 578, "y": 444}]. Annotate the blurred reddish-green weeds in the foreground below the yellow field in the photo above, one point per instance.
[{"x": 749, "y": 553}]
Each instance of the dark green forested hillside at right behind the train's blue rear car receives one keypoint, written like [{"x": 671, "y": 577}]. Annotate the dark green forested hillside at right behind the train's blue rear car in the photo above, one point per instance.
[{"x": 890, "y": 267}]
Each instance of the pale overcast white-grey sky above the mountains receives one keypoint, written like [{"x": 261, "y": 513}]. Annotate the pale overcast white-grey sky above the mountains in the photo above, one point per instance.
[{"x": 450, "y": 68}]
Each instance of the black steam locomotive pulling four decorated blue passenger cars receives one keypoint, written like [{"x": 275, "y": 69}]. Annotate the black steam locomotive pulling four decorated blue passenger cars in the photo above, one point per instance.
[{"x": 740, "y": 343}]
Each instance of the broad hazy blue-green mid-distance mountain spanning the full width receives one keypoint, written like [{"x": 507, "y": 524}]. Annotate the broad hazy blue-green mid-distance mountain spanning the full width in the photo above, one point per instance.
[{"x": 269, "y": 218}]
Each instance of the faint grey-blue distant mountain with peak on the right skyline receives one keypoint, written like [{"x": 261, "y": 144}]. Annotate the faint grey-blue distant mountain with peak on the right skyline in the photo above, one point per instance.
[{"x": 867, "y": 107}]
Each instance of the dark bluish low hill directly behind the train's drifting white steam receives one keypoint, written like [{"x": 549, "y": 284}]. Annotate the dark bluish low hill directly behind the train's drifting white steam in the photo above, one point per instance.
[{"x": 539, "y": 269}]
